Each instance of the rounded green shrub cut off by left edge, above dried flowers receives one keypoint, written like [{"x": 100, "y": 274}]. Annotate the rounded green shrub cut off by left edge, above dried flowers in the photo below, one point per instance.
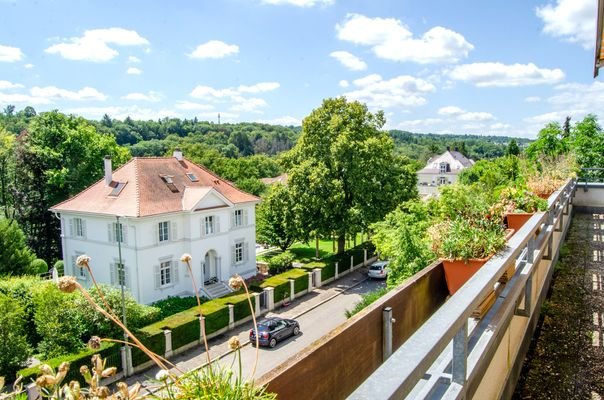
[{"x": 14, "y": 349}]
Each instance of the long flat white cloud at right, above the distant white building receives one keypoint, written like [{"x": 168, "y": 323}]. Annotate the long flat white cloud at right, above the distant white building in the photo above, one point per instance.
[{"x": 493, "y": 74}]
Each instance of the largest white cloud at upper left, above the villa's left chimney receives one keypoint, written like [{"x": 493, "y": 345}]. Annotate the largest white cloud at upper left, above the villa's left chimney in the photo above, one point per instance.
[{"x": 94, "y": 44}]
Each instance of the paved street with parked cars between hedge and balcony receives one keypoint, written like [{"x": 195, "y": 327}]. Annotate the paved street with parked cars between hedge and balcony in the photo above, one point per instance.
[{"x": 318, "y": 313}]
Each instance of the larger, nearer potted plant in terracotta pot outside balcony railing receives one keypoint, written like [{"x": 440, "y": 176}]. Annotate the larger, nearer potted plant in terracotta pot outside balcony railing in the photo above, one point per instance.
[{"x": 465, "y": 245}]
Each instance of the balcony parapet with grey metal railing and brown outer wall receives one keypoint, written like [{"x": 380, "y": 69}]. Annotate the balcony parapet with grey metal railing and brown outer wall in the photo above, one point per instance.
[{"x": 418, "y": 342}]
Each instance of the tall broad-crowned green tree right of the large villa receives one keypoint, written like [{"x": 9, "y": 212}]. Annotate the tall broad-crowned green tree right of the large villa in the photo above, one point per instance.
[{"x": 343, "y": 170}]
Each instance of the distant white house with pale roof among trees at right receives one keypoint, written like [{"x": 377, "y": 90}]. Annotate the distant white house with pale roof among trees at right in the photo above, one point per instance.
[{"x": 441, "y": 170}]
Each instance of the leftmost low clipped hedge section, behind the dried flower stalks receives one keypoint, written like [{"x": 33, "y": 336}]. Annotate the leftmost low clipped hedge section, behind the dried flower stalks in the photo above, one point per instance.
[{"x": 108, "y": 351}]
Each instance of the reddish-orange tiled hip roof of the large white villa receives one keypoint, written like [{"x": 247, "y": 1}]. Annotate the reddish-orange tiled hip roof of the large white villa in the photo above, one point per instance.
[{"x": 146, "y": 193}]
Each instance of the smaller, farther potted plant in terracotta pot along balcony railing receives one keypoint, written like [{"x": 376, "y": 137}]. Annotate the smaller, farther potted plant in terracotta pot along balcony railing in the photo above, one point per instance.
[{"x": 516, "y": 206}]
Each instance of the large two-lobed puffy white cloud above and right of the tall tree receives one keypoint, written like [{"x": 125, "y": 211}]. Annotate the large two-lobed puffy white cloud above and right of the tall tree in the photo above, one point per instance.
[{"x": 391, "y": 40}]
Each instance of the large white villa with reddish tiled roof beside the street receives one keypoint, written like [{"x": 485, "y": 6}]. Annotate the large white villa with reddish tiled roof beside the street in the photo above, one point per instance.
[{"x": 152, "y": 210}]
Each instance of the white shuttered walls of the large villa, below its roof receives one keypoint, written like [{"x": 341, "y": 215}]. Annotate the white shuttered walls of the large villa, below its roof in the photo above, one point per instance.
[{"x": 220, "y": 237}]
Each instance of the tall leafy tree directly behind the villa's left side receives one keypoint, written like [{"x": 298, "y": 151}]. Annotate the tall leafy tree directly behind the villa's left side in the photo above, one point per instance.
[{"x": 57, "y": 157}]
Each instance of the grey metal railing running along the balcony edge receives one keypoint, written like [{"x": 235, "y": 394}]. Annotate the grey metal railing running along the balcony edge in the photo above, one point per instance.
[{"x": 448, "y": 355}]
